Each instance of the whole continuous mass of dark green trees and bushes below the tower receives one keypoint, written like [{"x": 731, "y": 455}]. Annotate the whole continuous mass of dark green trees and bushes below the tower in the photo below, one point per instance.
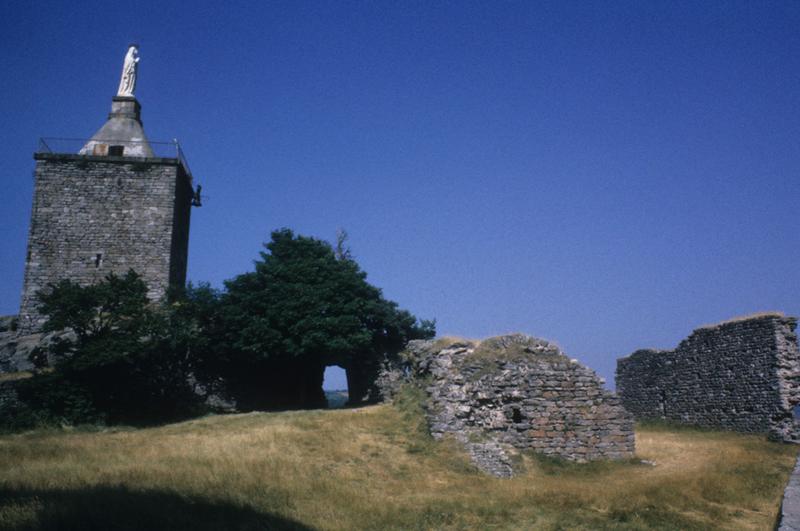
[{"x": 264, "y": 340}]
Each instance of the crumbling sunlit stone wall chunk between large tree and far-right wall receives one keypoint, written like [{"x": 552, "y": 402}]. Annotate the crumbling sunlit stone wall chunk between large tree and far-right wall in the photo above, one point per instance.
[{"x": 515, "y": 393}]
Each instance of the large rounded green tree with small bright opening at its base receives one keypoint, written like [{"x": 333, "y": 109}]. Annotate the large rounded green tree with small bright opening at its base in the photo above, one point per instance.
[{"x": 302, "y": 309}]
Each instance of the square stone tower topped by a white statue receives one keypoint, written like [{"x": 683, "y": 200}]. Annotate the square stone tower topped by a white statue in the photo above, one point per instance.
[{"x": 119, "y": 202}]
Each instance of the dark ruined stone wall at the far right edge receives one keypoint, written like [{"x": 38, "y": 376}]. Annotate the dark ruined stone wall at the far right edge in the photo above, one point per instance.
[{"x": 742, "y": 375}]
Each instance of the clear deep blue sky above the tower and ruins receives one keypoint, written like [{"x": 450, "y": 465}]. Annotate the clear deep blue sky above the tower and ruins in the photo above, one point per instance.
[{"x": 607, "y": 175}]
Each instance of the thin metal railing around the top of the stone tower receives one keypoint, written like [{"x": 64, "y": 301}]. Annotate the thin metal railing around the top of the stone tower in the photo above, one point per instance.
[{"x": 127, "y": 148}]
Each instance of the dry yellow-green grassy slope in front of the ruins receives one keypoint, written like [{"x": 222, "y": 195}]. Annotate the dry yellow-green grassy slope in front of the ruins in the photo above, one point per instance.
[{"x": 372, "y": 468}]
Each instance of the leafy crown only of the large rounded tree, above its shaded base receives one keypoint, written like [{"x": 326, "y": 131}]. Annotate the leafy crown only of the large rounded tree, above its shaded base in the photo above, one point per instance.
[{"x": 304, "y": 302}]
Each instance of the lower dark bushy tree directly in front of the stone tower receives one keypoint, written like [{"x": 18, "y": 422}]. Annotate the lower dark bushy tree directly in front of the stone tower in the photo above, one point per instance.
[{"x": 121, "y": 358}]
